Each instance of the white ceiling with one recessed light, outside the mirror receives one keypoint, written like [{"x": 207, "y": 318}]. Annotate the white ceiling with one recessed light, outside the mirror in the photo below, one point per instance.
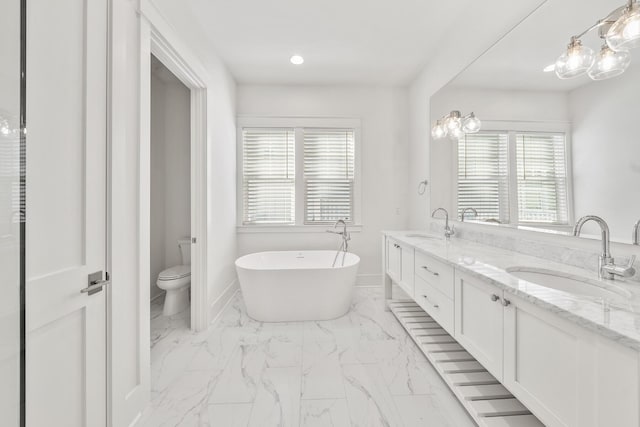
[{"x": 342, "y": 41}]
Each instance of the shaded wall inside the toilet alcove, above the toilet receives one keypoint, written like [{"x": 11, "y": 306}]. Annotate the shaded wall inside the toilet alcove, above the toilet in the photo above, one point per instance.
[{"x": 170, "y": 171}]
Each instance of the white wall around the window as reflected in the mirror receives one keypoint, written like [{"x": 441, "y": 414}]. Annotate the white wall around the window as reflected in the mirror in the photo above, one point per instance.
[{"x": 488, "y": 105}]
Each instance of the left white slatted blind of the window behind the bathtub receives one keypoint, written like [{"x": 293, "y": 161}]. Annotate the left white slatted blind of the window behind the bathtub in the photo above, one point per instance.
[{"x": 268, "y": 167}]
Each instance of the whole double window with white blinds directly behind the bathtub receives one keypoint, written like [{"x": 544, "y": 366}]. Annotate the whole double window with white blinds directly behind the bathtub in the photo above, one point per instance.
[{"x": 301, "y": 174}]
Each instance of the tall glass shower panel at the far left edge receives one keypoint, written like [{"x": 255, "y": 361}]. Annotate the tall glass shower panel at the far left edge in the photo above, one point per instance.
[{"x": 11, "y": 214}]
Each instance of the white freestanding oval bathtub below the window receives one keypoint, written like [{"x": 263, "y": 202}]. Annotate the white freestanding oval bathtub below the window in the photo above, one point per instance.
[{"x": 297, "y": 285}]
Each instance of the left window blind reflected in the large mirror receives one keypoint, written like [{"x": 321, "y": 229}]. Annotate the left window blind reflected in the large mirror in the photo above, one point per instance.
[{"x": 483, "y": 175}]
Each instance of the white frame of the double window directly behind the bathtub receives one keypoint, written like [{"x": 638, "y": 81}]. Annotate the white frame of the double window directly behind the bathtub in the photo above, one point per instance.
[{"x": 298, "y": 124}]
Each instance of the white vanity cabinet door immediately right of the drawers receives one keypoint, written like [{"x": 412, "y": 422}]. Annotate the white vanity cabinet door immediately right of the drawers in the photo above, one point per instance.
[{"x": 479, "y": 321}]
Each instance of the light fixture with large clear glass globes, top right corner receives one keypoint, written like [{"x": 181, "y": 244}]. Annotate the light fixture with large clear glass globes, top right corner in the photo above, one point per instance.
[{"x": 620, "y": 31}]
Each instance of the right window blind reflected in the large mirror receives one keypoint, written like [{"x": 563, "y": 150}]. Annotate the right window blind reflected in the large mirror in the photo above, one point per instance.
[{"x": 542, "y": 178}]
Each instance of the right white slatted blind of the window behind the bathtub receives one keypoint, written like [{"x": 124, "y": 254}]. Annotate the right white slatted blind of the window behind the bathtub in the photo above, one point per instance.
[{"x": 329, "y": 165}]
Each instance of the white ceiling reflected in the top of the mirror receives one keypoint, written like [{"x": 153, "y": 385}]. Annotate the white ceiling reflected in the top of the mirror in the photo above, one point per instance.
[{"x": 517, "y": 61}]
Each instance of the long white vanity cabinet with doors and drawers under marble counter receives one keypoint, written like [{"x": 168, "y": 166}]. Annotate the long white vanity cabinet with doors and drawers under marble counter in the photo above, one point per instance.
[{"x": 565, "y": 374}]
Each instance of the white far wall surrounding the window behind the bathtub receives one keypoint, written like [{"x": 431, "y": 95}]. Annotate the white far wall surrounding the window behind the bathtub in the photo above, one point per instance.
[{"x": 383, "y": 112}]
